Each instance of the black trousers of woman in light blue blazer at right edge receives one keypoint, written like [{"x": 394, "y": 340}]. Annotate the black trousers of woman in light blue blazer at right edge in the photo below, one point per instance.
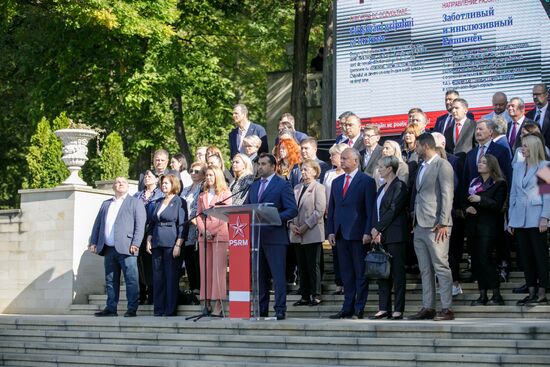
[{"x": 534, "y": 256}]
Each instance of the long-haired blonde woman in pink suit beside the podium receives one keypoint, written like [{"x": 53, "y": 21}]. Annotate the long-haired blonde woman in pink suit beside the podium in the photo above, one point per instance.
[{"x": 214, "y": 277}]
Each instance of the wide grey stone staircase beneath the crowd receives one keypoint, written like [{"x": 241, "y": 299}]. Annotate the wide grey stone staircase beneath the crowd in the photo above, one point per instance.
[{"x": 481, "y": 336}]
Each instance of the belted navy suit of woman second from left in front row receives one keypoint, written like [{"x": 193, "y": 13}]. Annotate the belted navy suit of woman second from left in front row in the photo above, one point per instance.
[{"x": 165, "y": 230}]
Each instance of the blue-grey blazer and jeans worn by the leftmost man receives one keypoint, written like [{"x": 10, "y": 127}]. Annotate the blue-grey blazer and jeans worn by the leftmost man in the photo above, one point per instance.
[{"x": 128, "y": 231}]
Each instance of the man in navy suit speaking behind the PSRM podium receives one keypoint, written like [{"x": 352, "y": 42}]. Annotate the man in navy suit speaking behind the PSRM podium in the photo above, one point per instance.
[{"x": 273, "y": 239}]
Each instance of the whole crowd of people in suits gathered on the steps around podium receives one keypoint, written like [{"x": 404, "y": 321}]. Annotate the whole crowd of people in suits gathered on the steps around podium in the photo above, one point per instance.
[{"x": 426, "y": 197}]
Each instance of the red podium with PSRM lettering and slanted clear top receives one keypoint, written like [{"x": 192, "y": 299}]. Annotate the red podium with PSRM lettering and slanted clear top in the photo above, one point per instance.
[{"x": 245, "y": 223}]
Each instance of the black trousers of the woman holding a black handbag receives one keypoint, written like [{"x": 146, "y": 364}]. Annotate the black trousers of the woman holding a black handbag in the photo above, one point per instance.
[{"x": 397, "y": 279}]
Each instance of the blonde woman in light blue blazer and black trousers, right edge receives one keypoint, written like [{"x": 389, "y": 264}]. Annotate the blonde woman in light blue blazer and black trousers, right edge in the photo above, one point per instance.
[{"x": 528, "y": 217}]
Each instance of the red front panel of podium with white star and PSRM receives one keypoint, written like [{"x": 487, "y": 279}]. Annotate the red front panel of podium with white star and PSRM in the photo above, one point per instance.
[{"x": 239, "y": 265}]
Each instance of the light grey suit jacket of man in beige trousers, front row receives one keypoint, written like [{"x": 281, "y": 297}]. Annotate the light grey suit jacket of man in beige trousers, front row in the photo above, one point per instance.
[{"x": 433, "y": 198}]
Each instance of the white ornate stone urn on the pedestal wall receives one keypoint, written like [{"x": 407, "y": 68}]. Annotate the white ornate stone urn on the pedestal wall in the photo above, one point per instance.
[{"x": 75, "y": 151}]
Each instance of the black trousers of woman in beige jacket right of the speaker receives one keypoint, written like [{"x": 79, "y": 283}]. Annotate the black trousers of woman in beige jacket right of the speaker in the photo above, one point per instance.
[{"x": 308, "y": 256}]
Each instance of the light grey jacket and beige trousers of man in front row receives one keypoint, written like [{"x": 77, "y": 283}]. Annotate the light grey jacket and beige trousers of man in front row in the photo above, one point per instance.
[{"x": 433, "y": 201}]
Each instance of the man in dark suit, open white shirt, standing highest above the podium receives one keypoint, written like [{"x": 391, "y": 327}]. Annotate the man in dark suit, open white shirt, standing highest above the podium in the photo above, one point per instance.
[{"x": 244, "y": 127}]
